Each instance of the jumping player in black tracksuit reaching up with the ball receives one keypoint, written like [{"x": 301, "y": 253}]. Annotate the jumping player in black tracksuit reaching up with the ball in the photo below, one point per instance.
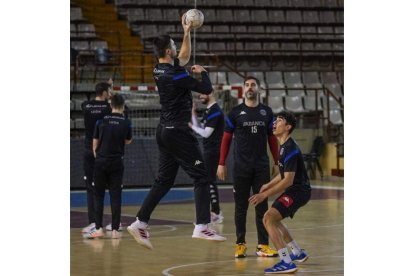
[{"x": 177, "y": 143}]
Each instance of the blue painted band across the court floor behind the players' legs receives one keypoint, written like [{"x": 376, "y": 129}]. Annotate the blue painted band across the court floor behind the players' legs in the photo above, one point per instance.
[{"x": 133, "y": 197}]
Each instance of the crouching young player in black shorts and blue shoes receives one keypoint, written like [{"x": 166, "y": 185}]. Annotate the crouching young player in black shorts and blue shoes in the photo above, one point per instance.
[{"x": 293, "y": 182}]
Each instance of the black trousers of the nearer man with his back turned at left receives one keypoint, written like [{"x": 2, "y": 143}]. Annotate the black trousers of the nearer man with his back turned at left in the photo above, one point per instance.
[{"x": 108, "y": 174}]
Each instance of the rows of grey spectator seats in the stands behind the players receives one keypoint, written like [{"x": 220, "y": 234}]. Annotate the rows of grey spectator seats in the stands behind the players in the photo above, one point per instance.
[{"x": 263, "y": 38}]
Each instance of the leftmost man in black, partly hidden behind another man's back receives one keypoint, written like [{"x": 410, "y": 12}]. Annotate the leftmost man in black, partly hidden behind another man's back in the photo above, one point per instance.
[{"x": 93, "y": 110}]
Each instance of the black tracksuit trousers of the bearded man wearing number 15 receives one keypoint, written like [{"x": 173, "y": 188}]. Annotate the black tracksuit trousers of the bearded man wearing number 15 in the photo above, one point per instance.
[{"x": 246, "y": 179}]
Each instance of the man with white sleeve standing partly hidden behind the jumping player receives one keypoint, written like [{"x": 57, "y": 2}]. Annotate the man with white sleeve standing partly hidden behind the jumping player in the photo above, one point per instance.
[{"x": 212, "y": 131}]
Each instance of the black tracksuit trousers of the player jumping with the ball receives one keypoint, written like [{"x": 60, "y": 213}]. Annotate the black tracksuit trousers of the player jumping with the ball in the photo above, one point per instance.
[{"x": 178, "y": 147}]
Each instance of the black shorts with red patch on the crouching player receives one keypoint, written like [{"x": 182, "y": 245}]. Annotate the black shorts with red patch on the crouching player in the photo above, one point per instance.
[{"x": 291, "y": 200}]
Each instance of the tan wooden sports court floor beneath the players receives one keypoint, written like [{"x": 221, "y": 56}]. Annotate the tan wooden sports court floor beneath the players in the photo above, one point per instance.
[{"x": 318, "y": 227}]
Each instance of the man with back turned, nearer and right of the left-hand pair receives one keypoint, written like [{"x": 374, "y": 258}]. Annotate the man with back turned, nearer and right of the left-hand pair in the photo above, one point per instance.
[{"x": 109, "y": 139}]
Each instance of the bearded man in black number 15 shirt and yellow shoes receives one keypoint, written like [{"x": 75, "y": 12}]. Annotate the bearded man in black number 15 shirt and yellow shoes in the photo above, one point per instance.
[{"x": 251, "y": 125}]
